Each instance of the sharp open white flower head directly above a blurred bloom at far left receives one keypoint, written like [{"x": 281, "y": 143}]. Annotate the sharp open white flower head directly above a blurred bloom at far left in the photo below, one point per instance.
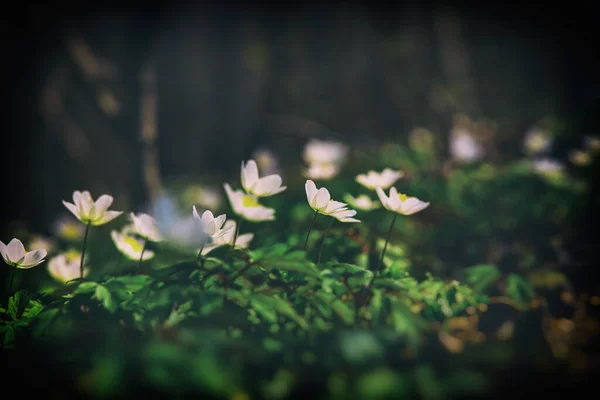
[{"x": 88, "y": 211}]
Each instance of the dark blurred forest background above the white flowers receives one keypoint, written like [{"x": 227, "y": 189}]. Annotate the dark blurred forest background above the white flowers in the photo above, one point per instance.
[{"x": 117, "y": 101}]
